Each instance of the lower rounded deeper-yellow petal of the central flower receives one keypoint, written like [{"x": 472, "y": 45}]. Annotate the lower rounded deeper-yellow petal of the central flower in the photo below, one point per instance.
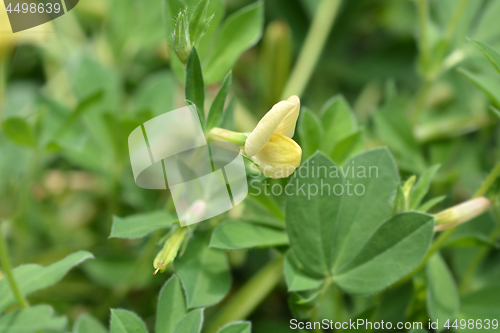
[{"x": 280, "y": 157}]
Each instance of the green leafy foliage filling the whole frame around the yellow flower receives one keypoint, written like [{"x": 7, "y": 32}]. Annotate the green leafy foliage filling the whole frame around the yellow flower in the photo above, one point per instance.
[{"x": 411, "y": 87}]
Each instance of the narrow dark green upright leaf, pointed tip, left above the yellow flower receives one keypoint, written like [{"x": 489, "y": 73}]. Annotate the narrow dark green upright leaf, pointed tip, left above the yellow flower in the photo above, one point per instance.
[{"x": 195, "y": 88}]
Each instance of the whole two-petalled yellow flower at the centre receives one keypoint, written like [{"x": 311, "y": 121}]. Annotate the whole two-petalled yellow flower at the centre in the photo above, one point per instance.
[{"x": 270, "y": 144}]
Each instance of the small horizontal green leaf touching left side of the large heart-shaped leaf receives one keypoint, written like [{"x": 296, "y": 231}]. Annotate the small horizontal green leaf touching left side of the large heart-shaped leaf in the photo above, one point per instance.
[{"x": 244, "y": 235}]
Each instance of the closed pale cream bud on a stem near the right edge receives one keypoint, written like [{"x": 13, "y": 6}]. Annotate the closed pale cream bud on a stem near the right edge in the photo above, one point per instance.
[{"x": 462, "y": 213}]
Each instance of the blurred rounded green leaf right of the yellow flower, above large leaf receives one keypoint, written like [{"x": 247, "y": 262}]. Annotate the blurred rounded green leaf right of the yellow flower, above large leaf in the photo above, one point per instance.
[{"x": 338, "y": 122}]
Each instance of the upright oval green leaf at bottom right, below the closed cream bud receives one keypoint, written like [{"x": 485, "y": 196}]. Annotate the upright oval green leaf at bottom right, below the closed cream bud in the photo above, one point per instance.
[{"x": 442, "y": 295}]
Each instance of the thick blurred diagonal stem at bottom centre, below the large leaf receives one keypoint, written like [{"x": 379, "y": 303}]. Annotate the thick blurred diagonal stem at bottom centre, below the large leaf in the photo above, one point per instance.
[{"x": 250, "y": 295}]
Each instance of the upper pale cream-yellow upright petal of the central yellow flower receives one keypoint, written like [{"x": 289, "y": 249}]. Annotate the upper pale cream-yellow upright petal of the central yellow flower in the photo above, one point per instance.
[{"x": 281, "y": 119}]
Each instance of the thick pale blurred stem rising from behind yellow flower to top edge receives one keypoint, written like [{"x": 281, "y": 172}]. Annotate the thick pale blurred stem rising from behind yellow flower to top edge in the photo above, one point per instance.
[{"x": 312, "y": 48}]
